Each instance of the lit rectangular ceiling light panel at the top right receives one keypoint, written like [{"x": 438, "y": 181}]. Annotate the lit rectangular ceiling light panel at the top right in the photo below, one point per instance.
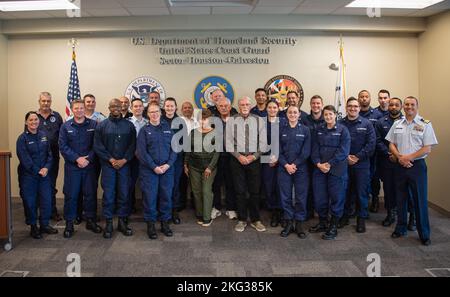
[{"x": 404, "y": 4}]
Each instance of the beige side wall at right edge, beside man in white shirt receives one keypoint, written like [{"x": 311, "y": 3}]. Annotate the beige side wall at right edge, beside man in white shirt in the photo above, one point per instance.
[{"x": 434, "y": 65}]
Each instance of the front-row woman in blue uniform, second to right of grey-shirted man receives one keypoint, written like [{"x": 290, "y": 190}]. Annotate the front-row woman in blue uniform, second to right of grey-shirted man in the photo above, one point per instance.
[{"x": 331, "y": 146}]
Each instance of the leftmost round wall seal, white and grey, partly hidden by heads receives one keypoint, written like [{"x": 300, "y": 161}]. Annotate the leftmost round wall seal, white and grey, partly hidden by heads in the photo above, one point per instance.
[{"x": 141, "y": 88}]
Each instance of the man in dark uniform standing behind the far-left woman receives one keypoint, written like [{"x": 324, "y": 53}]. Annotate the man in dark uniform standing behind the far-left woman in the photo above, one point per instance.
[{"x": 50, "y": 122}]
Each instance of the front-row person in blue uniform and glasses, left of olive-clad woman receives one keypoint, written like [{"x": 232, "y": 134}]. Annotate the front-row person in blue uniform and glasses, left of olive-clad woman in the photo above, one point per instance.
[{"x": 156, "y": 171}]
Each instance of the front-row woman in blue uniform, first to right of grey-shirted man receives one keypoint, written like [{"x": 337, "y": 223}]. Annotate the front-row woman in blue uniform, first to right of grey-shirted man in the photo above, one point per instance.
[{"x": 295, "y": 149}]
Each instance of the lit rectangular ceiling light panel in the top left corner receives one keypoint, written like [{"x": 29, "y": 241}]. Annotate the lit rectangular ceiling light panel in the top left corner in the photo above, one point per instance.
[{"x": 36, "y": 5}]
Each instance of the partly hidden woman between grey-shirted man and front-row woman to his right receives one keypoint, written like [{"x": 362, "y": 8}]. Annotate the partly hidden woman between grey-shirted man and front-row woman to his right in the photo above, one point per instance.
[{"x": 269, "y": 170}]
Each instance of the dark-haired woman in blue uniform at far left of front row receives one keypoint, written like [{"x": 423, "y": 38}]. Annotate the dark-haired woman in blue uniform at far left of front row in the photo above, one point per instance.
[{"x": 35, "y": 157}]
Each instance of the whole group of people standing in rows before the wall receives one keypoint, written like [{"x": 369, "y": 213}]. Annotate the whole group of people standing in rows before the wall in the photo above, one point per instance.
[{"x": 300, "y": 163}]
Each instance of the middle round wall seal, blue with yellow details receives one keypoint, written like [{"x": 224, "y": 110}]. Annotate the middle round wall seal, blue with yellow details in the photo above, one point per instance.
[{"x": 203, "y": 90}]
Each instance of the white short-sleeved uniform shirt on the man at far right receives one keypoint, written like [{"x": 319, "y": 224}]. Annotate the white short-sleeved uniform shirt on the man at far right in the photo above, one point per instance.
[{"x": 411, "y": 137}]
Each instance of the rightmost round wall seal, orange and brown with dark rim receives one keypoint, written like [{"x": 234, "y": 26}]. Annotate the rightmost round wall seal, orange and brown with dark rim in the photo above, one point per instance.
[{"x": 278, "y": 87}]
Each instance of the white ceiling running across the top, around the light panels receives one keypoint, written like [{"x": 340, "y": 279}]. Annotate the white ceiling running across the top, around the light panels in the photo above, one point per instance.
[{"x": 109, "y": 8}]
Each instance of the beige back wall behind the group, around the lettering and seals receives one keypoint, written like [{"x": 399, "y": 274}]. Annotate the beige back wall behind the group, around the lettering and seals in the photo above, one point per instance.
[{"x": 106, "y": 65}]
